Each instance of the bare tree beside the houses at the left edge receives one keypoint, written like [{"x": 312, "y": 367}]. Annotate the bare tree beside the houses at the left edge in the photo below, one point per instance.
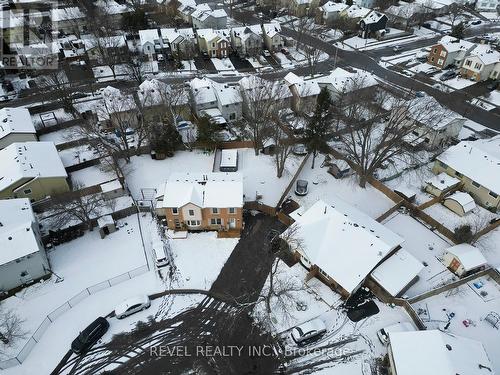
[{"x": 82, "y": 209}]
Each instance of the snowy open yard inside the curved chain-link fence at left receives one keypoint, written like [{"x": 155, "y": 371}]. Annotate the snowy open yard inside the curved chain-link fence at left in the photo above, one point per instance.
[{"x": 82, "y": 263}]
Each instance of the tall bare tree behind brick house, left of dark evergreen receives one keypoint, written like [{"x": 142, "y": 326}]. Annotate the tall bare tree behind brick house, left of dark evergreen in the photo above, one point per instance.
[{"x": 262, "y": 102}]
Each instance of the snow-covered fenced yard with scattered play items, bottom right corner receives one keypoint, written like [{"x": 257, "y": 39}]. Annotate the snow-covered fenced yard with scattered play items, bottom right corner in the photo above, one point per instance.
[{"x": 470, "y": 308}]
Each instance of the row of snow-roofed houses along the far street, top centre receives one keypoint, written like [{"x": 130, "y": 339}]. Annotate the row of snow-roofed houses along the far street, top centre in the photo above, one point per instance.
[{"x": 245, "y": 40}]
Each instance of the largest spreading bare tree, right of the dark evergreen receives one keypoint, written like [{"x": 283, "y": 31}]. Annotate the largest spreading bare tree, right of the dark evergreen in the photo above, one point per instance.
[{"x": 370, "y": 138}]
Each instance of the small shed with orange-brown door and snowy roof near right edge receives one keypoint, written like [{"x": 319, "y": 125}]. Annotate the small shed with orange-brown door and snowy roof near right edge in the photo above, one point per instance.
[{"x": 464, "y": 259}]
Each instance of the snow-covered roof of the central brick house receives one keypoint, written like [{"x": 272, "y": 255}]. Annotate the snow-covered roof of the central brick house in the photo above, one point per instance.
[{"x": 220, "y": 190}]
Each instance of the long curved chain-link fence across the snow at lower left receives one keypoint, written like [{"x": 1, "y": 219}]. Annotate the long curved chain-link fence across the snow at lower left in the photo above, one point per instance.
[{"x": 69, "y": 304}]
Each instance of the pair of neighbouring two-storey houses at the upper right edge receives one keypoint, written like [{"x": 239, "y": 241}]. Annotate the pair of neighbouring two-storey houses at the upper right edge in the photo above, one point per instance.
[{"x": 475, "y": 61}]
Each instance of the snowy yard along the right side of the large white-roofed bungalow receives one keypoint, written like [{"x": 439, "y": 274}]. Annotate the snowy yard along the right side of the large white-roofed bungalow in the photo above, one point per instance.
[{"x": 427, "y": 247}]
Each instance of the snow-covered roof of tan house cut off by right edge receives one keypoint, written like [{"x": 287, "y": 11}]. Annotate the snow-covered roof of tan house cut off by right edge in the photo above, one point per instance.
[{"x": 478, "y": 160}]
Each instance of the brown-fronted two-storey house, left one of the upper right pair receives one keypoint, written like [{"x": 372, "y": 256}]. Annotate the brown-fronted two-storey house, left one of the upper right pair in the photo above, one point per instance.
[{"x": 449, "y": 51}]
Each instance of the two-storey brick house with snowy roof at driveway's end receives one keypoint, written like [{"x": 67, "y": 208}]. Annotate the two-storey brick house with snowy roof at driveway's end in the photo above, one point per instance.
[{"x": 199, "y": 201}]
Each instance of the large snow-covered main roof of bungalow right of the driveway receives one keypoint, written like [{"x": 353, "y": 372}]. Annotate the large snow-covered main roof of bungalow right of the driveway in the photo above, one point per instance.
[{"x": 344, "y": 242}]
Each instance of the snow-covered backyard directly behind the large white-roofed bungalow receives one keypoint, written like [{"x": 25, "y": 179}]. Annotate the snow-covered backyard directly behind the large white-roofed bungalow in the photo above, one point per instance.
[{"x": 324, "y": 186}]
